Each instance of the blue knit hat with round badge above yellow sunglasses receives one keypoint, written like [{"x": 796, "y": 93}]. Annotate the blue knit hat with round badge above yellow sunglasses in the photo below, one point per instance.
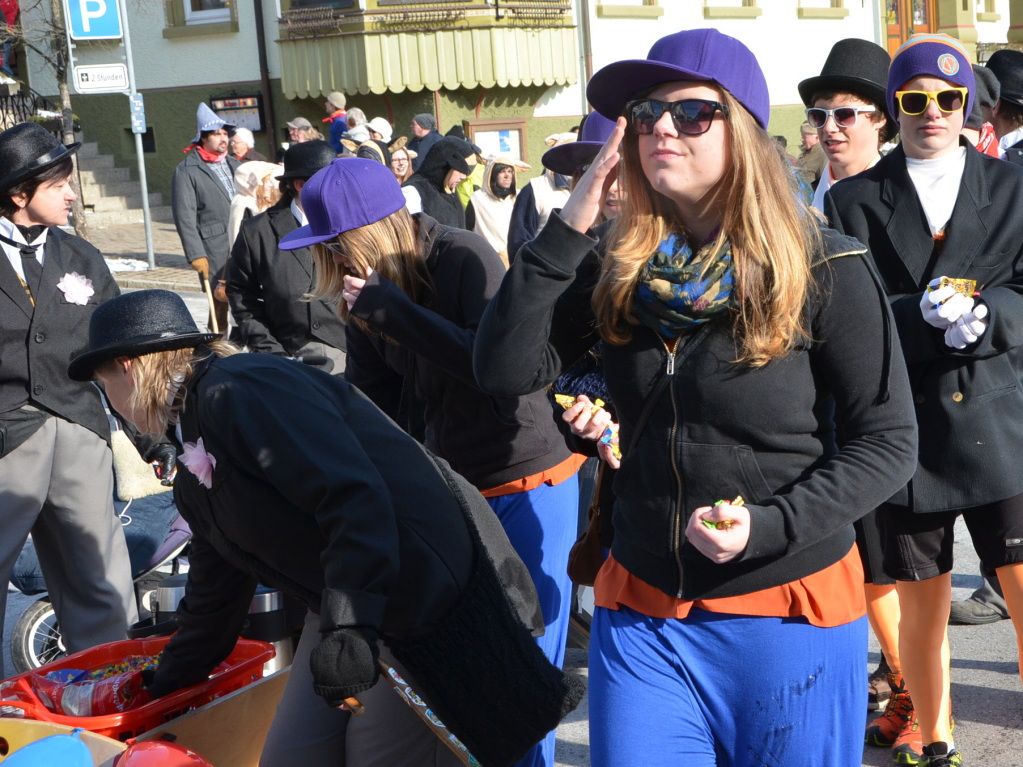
[{"x": 931, "y": 56}]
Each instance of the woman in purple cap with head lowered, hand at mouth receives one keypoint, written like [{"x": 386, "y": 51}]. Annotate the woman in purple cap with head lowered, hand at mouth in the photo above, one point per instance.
[{"x": 412, "y": 293}]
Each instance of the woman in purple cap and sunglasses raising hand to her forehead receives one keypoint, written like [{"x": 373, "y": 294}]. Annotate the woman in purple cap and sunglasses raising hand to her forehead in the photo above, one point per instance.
[{"x": 759, "y": 420}]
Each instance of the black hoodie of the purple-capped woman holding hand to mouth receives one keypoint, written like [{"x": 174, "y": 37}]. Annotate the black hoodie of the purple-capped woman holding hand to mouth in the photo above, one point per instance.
[{"x": 428, "y": 374}]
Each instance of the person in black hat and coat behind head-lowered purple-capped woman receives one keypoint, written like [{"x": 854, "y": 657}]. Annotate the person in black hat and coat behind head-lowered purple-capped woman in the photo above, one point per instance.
[{"x": 266, "y": 287}]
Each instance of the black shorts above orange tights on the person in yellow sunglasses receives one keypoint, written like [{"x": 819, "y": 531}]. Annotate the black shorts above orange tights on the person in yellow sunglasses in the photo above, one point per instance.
[{"x": 918, "y": 547}]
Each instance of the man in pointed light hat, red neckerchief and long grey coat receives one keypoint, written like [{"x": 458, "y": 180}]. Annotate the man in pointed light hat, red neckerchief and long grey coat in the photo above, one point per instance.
[{"x": 203, "y": 190}]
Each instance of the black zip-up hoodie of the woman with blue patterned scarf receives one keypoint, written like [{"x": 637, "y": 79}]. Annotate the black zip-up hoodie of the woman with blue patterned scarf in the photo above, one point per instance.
[{"x": 718, "y": 429}]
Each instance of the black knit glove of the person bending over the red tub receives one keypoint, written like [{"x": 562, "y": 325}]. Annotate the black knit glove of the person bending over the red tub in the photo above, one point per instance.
[{"x": 344, "y": 664}]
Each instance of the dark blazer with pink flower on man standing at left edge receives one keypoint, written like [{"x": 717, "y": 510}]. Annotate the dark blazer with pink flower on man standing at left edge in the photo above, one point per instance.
[{"x": 36, "y": 343}]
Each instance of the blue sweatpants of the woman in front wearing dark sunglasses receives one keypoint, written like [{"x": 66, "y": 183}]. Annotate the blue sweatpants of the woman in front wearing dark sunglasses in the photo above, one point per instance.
[{"x": 724, "y": 691}]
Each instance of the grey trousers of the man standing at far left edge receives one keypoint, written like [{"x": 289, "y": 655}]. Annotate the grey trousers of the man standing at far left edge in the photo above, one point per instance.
[{"x": 59, "y": 485}]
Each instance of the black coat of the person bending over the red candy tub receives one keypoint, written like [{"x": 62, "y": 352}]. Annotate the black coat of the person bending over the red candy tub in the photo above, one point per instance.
[{"x": 320, "y": 494}]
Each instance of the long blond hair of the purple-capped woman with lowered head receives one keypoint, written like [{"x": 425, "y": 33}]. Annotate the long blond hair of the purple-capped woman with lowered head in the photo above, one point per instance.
[{"x": 390, "y": 247}]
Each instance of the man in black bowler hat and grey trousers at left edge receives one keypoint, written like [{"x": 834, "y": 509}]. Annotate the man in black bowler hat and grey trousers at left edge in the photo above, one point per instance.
[{"x": 56, "y": 465}]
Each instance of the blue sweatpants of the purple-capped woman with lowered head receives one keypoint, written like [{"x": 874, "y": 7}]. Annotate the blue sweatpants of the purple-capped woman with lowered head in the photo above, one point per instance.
[{"x": 543, "y": 525}]
